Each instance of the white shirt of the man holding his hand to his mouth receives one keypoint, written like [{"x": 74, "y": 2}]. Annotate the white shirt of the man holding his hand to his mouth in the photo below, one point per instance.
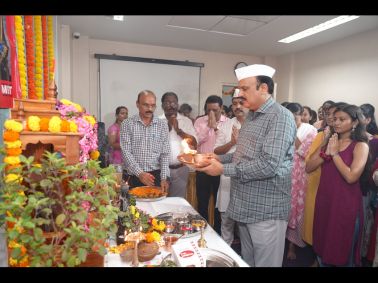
[{"x": 184, "y": 124}]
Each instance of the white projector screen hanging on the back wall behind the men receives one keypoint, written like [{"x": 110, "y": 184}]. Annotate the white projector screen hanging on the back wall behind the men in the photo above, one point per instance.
[{"x": 121, "y": 80}]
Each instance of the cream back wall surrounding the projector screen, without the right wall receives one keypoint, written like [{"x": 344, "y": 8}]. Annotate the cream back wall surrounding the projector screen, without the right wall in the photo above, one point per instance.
[{"x": 218, "y": 70}]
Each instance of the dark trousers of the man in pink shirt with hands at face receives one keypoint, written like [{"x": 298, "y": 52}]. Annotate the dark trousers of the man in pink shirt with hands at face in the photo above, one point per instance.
[{"x": 205, "y": 185}]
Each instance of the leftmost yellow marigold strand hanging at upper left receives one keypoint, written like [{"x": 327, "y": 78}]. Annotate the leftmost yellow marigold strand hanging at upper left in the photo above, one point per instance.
[{"x": 21, "y": 57}]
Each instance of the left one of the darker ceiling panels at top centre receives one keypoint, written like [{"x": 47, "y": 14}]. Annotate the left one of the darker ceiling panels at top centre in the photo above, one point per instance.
[{"x": 195, "y": 22}]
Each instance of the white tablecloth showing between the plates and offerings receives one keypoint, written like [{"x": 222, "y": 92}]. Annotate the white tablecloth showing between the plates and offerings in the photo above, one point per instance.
[{"x": 177, "y": 205}]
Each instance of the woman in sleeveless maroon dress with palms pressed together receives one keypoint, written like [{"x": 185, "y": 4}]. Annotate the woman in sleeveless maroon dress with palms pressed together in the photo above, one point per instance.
[{"x": 338, "y": 218}]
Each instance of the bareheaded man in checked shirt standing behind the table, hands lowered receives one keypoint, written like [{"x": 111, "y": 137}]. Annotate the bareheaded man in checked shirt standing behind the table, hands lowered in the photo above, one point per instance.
[{"x": 145, "y": 146}]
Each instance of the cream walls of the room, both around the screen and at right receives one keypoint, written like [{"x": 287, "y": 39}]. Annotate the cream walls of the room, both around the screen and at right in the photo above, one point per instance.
[{"x": 344, "y": 70}]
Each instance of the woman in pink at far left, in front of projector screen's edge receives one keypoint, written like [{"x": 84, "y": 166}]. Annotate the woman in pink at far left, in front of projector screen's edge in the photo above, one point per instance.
[{"x": 115, "y": 154}]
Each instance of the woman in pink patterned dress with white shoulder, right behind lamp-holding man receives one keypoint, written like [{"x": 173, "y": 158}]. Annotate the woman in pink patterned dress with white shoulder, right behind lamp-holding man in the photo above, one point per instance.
[{"x": 305, "y": 135}]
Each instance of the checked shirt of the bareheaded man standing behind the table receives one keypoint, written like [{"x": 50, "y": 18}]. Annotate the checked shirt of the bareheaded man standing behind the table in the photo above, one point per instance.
[{"x": 145, "y": 148}]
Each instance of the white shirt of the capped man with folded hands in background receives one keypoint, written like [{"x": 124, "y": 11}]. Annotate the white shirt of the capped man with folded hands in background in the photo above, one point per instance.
[{"x": 224, "y": 134}]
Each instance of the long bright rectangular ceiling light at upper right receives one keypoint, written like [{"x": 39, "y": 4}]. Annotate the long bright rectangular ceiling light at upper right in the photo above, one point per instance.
[{"x": 321, "y": 27}]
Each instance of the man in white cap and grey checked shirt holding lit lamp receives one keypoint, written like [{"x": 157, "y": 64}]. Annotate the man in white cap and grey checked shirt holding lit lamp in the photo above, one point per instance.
[{"x": 260, "y": 169}]
